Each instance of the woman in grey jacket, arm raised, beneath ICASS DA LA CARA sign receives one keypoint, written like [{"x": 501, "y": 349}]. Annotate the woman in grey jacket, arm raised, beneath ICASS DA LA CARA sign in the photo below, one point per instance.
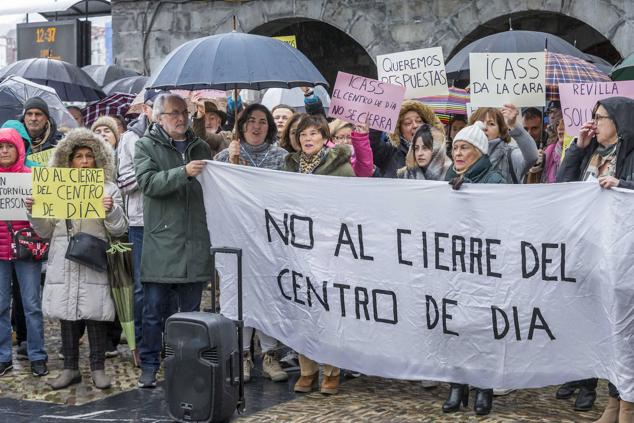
[{"x": 501, "y": 128}]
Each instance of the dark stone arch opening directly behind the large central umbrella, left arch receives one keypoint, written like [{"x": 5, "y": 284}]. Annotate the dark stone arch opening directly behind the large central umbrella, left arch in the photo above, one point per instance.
[{"x": 328, "y": 47}]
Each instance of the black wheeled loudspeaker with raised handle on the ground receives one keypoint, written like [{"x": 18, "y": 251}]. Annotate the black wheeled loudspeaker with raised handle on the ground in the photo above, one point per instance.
[{"x": 203, "y": 361}]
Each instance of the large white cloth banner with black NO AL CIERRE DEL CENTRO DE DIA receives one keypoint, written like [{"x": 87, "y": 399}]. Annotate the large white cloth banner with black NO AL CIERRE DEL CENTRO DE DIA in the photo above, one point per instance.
[{"x": 460, "y": 286}]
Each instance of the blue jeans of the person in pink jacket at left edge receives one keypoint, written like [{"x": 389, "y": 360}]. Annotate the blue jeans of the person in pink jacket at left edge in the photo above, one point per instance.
[{"x": 28, "y": 275}]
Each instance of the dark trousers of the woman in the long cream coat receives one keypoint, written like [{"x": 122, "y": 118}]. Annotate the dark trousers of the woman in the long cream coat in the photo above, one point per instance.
[{"x": 97, "y": 337}]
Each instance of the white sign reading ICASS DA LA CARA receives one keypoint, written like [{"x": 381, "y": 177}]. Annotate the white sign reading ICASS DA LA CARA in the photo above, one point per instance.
[{"x": 502, "y": 78}]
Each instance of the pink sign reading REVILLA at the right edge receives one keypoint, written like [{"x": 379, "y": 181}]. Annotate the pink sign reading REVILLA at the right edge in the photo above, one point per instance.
[{"x": 578, "y": 100}]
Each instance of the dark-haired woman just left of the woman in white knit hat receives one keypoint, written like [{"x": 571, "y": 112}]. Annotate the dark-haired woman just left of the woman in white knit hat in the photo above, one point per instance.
[{"x": 427, "y": 157}]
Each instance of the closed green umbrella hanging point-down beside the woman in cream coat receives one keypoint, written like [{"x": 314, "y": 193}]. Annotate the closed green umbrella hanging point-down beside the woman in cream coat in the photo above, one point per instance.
[{"x": 120, "y": 273}]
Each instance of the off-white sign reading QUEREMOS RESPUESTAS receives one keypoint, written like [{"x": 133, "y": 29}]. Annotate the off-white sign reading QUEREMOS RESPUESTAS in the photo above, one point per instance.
[{"x": 421, "y": 72}]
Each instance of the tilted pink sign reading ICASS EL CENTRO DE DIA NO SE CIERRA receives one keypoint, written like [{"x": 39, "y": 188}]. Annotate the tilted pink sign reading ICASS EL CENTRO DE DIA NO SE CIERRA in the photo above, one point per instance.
[{"x": 358, "y": 99}]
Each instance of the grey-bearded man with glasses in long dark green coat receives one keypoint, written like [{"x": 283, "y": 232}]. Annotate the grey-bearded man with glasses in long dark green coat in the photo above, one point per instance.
[{"x": 175, "y": 257}]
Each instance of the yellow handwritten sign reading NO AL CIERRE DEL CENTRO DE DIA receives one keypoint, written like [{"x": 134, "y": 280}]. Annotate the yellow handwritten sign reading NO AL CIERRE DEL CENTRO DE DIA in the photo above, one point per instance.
[{"x": 63, "y": 193}]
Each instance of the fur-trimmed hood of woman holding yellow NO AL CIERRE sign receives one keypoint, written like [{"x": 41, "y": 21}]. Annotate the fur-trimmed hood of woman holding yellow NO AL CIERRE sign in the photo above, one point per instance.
[{"x": 83, "y": 137}]
